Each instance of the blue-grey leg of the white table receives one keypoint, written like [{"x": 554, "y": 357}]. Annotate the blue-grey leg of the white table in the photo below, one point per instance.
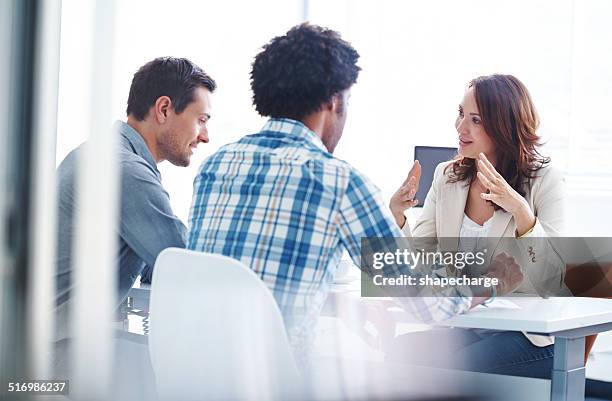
[{"x": 568, "y": 375}]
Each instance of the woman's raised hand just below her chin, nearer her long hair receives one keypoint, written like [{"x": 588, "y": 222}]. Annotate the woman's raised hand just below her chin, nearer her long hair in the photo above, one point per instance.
[{"x": 503, "y": 195}]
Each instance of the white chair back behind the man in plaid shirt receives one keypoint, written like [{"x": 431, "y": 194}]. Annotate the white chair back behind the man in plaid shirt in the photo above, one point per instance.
[{"x": 216, "y": 332}]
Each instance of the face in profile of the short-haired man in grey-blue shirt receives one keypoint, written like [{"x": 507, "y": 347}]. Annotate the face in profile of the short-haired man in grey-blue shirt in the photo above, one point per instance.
[{"x": 185, "y": 130}]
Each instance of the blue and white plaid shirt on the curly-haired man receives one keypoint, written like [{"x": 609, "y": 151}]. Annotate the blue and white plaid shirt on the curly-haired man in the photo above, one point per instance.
[{"x": 279, "y": 202}]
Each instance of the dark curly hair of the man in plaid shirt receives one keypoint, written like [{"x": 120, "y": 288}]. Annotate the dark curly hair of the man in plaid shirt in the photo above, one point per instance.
[{"x": 295, "y": 74}]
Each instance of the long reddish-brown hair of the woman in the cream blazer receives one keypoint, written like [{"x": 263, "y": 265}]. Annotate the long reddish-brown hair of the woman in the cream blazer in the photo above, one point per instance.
[{"x": 511, "y": 120}]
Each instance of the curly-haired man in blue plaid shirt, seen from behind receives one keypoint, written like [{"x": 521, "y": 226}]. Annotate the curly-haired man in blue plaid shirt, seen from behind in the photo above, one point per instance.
[{"x": 282, "y": 204}]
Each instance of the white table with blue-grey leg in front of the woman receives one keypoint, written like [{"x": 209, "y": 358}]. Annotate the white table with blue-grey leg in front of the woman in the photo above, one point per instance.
[{"x": 568, "y": 319}]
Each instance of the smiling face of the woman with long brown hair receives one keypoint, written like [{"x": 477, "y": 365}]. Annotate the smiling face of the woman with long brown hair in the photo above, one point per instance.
[{"x": 472, "y": 137}]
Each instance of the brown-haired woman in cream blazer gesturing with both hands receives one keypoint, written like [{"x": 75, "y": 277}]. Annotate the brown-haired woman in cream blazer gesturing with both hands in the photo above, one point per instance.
[{"x": 498, "y": 186}]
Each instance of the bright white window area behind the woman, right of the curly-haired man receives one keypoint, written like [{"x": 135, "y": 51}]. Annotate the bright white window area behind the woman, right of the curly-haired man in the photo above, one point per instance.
[{"x": 417, "y": 58}]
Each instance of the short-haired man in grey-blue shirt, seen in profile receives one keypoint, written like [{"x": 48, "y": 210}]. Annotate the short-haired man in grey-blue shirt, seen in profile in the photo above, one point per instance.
[{"x": 167, "y": 112}]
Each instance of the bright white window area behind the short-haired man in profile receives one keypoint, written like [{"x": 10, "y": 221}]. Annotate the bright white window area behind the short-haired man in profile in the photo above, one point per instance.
[{"x": 220, "y": 36}]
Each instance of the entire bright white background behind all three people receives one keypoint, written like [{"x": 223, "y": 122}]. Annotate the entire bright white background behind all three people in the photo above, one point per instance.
[{"x": 416, "y": 57}]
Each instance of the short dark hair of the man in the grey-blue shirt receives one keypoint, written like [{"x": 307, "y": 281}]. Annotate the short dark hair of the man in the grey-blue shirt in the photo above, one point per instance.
[{"x": 176, "y": 78}]
